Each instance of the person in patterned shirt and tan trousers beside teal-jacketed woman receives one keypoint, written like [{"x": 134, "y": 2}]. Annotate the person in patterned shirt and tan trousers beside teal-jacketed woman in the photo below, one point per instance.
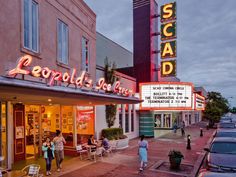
[{"x": 59, "y": 142}]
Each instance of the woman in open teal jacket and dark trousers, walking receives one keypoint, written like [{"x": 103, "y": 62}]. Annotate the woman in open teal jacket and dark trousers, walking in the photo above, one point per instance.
[{"x": 48, "y": 149}]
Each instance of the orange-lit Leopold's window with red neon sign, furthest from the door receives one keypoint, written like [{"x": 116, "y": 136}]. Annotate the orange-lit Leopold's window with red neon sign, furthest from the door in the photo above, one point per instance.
[{"x": 84, "y": 123}]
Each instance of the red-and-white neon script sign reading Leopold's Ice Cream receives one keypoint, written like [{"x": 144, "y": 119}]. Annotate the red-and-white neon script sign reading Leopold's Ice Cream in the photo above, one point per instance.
[{"x": 81, "y": 81}]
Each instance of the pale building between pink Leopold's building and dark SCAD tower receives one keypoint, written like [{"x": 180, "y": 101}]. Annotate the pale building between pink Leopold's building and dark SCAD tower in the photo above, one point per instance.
[{"x": 127, "y": 116}]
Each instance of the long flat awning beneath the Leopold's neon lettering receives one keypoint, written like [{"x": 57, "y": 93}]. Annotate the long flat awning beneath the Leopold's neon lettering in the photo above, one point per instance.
[{"x": 29, "y": 92}]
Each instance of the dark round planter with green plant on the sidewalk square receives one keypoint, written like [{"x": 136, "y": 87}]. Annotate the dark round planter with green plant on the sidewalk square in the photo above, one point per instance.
[{"x": 175, "y": 158}]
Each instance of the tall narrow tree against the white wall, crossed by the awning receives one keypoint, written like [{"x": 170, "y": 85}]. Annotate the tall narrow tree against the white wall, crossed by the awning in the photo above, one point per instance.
[{"x": 109, "y": 74}]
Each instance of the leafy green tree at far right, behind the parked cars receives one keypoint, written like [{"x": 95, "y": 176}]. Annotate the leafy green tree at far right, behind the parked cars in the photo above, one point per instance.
[{"x": 216, "y": 107}]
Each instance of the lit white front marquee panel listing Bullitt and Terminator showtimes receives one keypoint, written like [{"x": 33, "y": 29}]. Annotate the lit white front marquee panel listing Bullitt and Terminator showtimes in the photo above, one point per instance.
[{"x": 166, "y": 96}]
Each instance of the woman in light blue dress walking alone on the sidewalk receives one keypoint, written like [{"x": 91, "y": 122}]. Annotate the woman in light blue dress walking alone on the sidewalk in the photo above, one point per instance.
[{"x": 143, "y": 147}]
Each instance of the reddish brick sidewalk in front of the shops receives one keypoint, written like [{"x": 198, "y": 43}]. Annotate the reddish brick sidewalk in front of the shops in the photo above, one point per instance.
[{"x": 125, "y": 162}]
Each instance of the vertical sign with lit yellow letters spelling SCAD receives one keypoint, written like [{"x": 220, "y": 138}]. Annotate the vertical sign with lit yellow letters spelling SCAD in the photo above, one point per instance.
[{"x": 168, "y": 42}]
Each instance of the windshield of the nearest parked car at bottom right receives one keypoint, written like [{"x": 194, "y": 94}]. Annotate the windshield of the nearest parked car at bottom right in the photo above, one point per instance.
[{"x": 223, "y": 147}]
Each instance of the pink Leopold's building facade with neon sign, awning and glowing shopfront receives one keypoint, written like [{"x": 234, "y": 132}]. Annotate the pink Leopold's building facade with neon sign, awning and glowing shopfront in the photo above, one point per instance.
[{"x": 48, "y": 76}]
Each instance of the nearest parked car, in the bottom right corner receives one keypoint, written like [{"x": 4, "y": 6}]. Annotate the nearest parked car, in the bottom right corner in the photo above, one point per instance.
[{"x": 221, "y": 155}]
